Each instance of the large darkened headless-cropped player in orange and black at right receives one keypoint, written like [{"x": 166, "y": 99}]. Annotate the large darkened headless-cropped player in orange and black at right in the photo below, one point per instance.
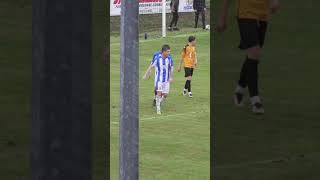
[{"x": 252, "y": 17}]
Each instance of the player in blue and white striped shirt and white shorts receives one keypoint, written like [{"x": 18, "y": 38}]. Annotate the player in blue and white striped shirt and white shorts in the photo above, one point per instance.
[{"x": 163, "y": 65}]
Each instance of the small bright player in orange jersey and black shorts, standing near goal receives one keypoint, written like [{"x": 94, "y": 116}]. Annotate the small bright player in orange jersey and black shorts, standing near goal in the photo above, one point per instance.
[{"x": 189, "y": 59}]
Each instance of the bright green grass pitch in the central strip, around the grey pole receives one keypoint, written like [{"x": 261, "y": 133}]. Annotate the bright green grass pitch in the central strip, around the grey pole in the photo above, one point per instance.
[{"x": 174, "y": 145}]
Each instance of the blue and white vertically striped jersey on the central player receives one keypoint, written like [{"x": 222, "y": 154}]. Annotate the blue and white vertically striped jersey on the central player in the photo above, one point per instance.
[{"x": 162, "y": 67}]
